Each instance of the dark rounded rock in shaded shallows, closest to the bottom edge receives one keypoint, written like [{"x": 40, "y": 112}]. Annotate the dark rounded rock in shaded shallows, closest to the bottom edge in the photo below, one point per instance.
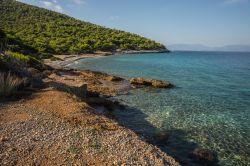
[{"x": 204, "y": 156}]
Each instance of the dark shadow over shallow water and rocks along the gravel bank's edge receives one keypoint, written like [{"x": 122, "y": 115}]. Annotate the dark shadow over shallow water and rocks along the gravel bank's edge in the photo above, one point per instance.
[{"x": 172, "y": 141}]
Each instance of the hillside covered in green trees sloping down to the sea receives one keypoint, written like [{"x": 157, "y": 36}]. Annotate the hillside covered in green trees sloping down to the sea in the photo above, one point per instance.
[{"x": 37, "y": 31}]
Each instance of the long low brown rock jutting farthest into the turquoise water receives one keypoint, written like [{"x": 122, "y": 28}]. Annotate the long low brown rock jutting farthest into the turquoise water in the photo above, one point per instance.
[{"x": 150, "y": 82}]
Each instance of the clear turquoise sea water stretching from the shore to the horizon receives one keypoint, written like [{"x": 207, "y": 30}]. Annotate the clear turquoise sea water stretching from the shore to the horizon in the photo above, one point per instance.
[{"x": 210, "y": 106}]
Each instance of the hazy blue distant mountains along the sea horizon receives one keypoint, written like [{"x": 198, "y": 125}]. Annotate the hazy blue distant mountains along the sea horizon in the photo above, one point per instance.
[{"x": 200, "y": 47}]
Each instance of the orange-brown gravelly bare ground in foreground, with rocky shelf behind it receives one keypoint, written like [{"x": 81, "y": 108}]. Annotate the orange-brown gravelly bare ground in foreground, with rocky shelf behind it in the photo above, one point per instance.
[{"x": 52, "y": 127}]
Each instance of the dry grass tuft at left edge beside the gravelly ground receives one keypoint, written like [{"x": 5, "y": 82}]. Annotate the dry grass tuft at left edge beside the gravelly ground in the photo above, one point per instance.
[{"x": 9, "y": 84}]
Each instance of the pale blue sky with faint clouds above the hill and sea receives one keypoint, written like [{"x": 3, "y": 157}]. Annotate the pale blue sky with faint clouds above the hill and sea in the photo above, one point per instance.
[{"x": 212, "y": 23}]
